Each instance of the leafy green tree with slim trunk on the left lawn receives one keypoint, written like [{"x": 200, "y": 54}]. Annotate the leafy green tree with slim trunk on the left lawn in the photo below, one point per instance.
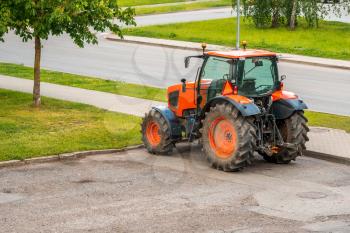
[{"x": 80, "y": 19}]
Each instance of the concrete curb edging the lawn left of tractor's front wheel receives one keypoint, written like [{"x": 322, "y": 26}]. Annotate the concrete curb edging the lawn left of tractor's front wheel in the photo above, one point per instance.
[{"x": 63, "y": 157}]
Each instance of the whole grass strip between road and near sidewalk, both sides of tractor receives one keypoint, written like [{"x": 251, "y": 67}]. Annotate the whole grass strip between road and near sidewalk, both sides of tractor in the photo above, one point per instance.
[{"x": 316, "y": 118}]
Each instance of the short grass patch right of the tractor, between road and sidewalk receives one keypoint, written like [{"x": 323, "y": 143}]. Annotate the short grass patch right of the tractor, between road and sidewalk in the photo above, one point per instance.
[{"x": 328, "y": 120}]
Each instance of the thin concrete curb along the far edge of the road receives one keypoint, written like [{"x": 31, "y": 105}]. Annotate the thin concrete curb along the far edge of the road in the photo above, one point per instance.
[{"x": 173, "y": 46}]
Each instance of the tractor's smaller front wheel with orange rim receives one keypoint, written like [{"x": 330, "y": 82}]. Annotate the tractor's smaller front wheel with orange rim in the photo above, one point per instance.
[{"x": 156, "y": 133}]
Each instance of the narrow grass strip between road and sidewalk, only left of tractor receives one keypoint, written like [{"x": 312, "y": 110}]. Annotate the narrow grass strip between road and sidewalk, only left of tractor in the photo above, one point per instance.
[{"x": 115, "y": 87}]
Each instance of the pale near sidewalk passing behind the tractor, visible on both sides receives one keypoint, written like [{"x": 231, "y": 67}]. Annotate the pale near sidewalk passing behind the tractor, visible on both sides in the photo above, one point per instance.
[{"x": 326, "y": 144}]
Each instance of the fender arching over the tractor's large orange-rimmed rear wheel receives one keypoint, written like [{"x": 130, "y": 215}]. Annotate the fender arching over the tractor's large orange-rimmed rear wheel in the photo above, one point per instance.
[{"x": 246, "y": 109}]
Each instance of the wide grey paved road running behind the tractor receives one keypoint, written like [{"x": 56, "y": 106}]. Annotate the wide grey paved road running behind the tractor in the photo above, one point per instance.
[{"x": 324, "y": 89}]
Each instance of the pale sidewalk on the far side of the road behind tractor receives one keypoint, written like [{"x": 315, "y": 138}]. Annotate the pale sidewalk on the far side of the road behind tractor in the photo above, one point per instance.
[{"x": 292, "y": 58}]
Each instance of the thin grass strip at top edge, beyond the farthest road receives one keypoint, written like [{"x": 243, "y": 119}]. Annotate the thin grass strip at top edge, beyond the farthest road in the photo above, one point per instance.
[{"x": 182, "y": 7}]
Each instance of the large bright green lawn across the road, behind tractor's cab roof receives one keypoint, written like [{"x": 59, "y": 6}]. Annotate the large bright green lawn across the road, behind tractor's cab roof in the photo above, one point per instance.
[{"x": 331, "y": 40}]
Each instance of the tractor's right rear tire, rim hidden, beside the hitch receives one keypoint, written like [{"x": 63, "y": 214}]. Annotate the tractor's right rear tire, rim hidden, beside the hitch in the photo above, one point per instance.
[{"x": 293, "y": 130}]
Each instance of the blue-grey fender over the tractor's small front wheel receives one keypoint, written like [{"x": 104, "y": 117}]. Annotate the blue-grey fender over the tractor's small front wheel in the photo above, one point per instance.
[{"x": 172, "y": 121}]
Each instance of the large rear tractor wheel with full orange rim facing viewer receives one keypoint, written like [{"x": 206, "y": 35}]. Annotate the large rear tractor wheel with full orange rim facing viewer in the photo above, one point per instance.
[{"x": 228, "y": 138}]
